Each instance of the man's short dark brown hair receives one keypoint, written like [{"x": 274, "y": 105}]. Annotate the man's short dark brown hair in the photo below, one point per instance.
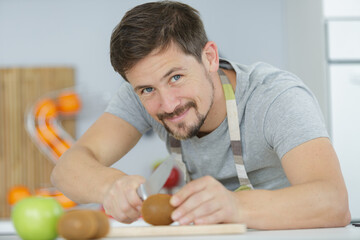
[{"x": 156, "y": 25}]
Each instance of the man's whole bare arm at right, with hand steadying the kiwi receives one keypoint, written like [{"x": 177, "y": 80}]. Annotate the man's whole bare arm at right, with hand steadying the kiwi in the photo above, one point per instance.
[{"x": 317, "y": 196}]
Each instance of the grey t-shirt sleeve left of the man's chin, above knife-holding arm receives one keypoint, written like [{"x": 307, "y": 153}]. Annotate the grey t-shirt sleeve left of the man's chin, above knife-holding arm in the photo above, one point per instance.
[{"x": 126, "y": 105}]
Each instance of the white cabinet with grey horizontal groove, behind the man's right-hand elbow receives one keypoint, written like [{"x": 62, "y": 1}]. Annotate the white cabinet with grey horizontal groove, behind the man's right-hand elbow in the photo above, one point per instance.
[{"x": 343, "y": 38}]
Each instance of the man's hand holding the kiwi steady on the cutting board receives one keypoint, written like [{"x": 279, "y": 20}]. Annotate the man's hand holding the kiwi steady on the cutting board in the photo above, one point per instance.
[{"x": 205, "y": 201}]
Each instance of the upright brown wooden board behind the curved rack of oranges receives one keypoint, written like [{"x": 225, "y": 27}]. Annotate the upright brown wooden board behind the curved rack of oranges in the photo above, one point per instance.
[{"x": 20, "y": 160}]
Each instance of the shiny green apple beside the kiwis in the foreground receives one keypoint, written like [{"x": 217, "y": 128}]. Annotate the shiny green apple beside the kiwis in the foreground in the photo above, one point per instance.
[{"x": 36, "y": 218}]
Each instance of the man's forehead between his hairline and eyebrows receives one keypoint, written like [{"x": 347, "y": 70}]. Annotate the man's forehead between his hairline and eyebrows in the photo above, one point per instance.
[{"x": 158, "y": 63}]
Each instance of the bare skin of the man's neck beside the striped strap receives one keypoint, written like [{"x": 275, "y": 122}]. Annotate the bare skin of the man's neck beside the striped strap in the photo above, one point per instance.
[{"x": 217, "y": 113}]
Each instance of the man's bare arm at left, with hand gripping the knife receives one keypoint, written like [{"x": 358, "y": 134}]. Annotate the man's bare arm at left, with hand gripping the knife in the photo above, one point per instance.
[{"x": 83, "y": 172}]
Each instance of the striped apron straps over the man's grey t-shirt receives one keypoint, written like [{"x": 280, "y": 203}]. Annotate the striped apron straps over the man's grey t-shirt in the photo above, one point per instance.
[{"x": 234, "y": 132}]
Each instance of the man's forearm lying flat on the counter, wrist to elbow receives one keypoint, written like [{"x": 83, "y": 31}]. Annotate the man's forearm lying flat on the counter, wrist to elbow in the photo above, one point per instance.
[{"x": 310, "y": 205}]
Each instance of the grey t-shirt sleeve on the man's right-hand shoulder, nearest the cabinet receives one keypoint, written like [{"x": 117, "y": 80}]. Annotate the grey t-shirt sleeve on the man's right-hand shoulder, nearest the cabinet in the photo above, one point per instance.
[{"x": 293, "y": 118}]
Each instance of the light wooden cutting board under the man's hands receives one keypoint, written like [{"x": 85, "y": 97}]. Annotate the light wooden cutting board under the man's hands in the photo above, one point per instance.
[{"x": 151, "y": 231}]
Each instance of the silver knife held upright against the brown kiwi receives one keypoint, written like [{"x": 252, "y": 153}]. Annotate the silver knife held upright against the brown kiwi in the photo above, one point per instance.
[{"x": 157, "y": 180}]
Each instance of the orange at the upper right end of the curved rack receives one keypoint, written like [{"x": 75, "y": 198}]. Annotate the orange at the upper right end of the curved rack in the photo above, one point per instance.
[{"x": 68, "y": 102}]
